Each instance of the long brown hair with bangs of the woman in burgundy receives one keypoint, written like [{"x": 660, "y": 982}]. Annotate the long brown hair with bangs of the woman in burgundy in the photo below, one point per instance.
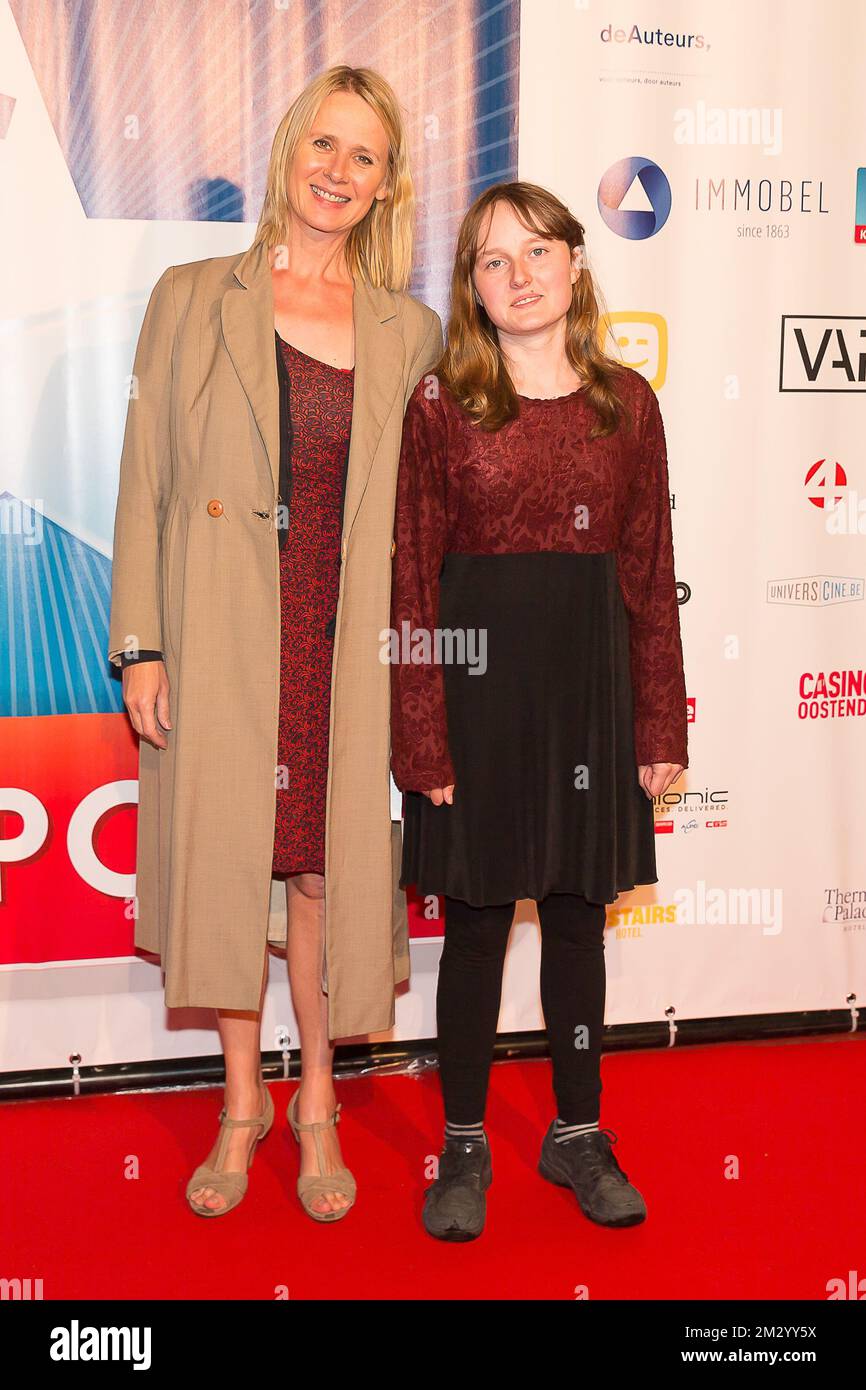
[{"x": 473, "y": 366}]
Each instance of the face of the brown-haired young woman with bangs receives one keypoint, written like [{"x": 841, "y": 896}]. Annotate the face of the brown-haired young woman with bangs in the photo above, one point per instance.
[{"x": 523, "y": 279}]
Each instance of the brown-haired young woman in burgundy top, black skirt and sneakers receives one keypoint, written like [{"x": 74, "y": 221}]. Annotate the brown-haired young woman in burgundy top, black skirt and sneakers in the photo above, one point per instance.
[{"x": 533, "y": 519}]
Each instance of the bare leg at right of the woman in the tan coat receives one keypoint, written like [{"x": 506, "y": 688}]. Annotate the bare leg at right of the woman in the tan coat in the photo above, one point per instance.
[{"x": 318, "y": 1100}]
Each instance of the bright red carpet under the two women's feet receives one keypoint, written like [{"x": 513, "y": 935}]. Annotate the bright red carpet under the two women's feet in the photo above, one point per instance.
[{"x": 792, "y": 1114}]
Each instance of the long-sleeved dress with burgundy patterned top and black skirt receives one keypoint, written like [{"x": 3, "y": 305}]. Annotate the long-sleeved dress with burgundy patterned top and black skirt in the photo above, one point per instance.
[{"x": 550, "y": 555}]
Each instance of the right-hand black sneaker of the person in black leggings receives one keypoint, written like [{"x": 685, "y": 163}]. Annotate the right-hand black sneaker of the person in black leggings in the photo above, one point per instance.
[{"x": 586, "y": 1164}]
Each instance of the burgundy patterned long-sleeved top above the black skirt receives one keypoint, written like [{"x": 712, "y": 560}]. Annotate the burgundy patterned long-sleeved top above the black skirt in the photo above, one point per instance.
[{"x": 537, "y": 484}]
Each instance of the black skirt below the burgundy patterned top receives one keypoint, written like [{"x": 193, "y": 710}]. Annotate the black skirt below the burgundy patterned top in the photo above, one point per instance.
[{"x": 547, "y": 796}]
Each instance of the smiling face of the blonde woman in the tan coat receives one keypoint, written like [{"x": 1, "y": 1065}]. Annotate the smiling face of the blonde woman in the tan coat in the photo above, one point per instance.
[{"x": 341, "y": 166}]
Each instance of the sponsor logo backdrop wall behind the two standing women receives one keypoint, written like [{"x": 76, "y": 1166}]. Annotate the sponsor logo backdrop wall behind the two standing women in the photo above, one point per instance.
[{"x": 726, "y": 222}]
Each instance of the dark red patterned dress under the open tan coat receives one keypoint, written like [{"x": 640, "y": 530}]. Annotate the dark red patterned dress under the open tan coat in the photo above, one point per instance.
[{"x": 320, "y": 425}]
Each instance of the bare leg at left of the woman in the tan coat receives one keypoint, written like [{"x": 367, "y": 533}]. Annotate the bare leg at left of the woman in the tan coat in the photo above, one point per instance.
[{"x": 241, "y": 1038}]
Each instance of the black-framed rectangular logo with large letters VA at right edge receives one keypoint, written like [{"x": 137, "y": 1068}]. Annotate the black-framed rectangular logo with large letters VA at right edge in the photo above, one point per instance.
[{"x": 824, "y": 352}]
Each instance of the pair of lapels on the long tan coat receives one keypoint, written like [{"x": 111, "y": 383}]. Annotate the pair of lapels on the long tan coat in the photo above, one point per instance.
[{"x": 247, "y": 313}]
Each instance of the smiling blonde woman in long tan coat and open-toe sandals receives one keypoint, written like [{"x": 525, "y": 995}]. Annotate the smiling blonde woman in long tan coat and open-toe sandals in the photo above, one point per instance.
[{"x": 252, "y": 571}]
